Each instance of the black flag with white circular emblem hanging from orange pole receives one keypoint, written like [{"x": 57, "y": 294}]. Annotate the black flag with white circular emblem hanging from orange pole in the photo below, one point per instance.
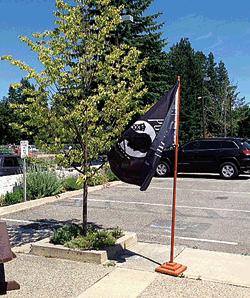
[{"x": 134, "y": 158}]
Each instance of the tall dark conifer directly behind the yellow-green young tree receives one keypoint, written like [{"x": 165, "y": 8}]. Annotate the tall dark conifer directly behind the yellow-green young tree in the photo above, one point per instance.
[{"x": 144, "y": 33}]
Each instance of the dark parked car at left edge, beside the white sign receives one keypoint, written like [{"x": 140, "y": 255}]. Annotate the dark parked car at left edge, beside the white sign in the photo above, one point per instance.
[{"x": 10, "y": 164}]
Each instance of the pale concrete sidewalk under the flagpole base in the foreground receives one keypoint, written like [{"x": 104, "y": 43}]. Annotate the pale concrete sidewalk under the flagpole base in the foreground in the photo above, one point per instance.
[{"x": 132, "y": 274}]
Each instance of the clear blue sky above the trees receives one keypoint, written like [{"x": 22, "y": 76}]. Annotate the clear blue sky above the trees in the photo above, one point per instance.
[{"x": 218, "y": 26}]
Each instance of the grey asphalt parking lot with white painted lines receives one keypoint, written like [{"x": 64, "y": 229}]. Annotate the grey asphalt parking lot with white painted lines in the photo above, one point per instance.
[{"x": 211, "y": 213}]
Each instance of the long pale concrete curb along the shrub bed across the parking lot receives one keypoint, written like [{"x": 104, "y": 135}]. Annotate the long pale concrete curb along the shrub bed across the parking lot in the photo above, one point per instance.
[{"x": 43, "y": 201}]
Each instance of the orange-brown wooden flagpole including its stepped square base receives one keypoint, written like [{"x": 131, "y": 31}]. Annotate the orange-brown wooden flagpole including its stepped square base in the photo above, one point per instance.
[{"x": 173, "y": 268}]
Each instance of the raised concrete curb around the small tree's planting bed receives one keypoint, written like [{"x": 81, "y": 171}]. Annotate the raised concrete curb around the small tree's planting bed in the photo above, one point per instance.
[{"x": 46, "y": 249}]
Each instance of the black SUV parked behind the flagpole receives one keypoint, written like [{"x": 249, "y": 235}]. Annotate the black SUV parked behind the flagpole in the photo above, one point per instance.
[{"x": 227, "y": 156}]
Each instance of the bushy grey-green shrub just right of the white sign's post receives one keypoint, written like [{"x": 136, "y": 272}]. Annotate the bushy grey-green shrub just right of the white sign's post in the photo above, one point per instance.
[{"x": 42, "y": 183}]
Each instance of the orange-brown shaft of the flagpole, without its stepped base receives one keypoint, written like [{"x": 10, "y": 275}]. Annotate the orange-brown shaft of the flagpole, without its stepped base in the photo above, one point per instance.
[{"x": 175, "y": 179}]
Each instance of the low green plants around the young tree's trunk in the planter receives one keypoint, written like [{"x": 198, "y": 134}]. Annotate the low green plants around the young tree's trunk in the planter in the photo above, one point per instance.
[{"x": 71, "y": 236}]
